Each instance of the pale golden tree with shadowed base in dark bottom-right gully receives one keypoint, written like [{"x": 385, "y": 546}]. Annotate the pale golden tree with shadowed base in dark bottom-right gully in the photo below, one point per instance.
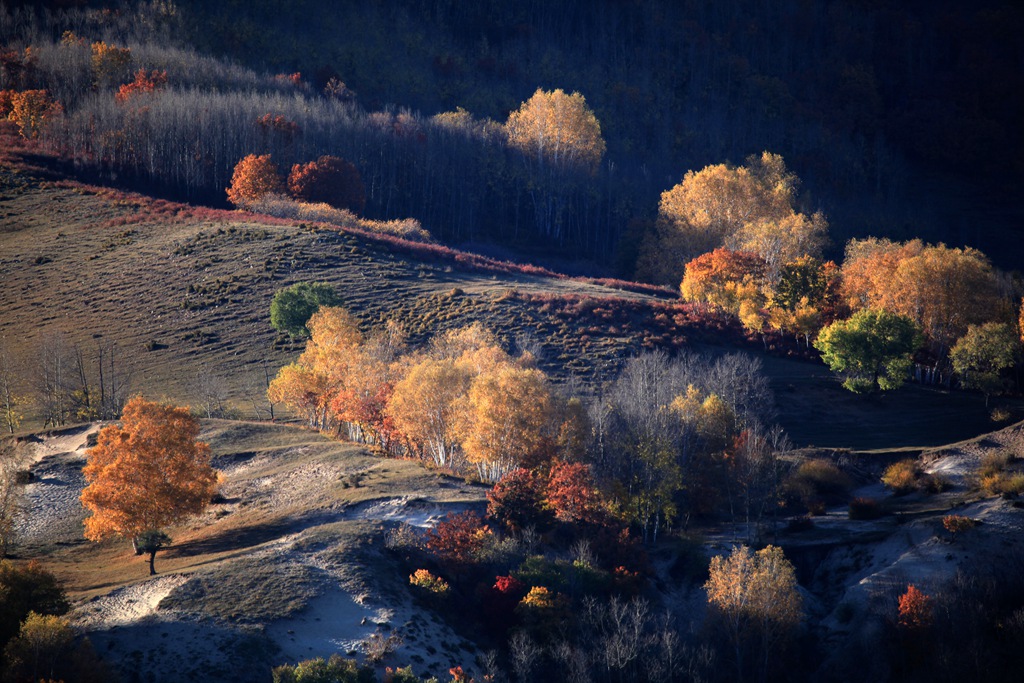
[{"x": 755, "y": 602}]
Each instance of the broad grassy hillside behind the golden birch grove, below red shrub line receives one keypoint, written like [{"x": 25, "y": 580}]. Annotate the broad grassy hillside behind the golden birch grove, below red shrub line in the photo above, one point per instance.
[{"x": 185, "y": 294}]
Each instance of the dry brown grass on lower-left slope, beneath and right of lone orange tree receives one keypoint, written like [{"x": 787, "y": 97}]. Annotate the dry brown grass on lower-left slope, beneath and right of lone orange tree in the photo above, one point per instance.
[{"x": 282, "y": 485}]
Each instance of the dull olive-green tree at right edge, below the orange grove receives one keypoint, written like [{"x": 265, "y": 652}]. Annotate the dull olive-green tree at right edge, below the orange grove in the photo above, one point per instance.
[{"x": 982, "y": 355}]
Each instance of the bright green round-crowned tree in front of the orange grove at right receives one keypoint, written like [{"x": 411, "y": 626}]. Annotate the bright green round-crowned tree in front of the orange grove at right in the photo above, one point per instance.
[{"x": 873, "y": 350}]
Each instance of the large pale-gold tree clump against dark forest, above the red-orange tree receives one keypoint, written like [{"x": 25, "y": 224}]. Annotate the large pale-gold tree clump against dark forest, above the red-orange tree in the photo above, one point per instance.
[{"x": 747, "y": 208}]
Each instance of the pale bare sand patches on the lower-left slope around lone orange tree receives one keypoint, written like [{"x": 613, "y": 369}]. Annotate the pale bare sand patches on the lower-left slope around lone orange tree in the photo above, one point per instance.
[{"x": 130, "y": 626}]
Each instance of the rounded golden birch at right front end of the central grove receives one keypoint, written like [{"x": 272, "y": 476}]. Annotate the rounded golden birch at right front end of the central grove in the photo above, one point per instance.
[{"x": 507, "y": 412}]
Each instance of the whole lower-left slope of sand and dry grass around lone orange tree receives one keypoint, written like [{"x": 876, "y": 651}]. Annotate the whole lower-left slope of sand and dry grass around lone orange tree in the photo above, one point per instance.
[{"x": 288, "y": 567}]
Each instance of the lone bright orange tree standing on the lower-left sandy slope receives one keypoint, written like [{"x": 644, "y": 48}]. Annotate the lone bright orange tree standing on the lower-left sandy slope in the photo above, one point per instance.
[{"x": 147, "y": 475}]
